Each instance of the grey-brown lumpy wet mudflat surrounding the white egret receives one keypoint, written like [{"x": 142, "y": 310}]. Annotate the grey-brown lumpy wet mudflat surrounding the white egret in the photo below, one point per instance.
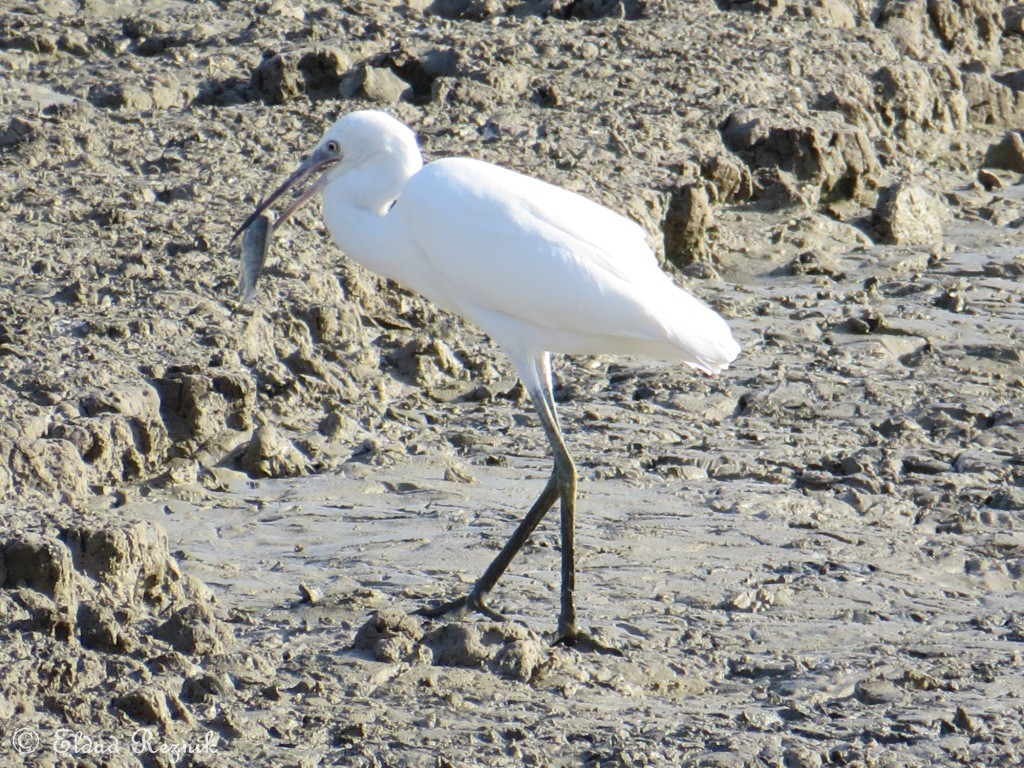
[{"x": 219, "y": 520}]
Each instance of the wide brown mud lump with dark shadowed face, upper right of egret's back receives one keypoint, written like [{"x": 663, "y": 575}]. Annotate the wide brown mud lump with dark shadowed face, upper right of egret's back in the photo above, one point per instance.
[{"x": 836, "y": 158}]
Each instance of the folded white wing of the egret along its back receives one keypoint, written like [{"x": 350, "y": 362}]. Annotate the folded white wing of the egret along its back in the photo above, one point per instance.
[{"x": 502, "y": 245}]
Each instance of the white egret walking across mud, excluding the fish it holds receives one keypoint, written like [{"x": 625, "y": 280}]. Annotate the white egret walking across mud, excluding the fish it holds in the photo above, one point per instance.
[{"x": 539, "y": 269}]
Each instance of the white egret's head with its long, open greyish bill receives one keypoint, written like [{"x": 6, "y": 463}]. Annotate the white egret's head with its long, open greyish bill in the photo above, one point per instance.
[{"x": 352, "y": 142}]
